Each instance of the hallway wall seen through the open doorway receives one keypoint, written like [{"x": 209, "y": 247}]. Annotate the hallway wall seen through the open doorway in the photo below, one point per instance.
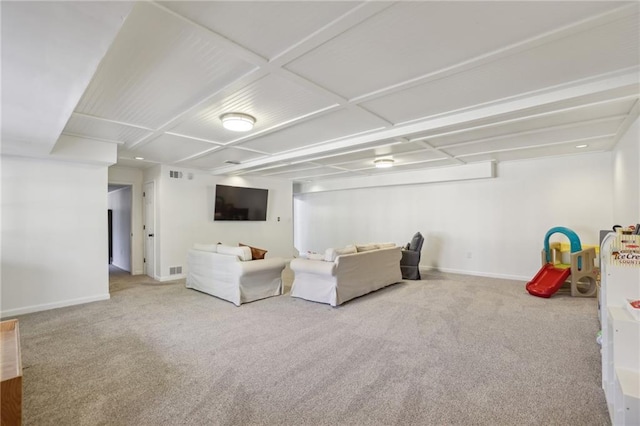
[{"x": 119, "y": 201}]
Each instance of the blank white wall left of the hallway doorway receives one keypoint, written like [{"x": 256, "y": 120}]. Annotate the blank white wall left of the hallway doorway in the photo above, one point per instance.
[{"x": 54, "y": 235}]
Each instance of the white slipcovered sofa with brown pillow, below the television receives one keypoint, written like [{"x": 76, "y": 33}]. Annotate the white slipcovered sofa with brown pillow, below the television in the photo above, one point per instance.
[{"x": 230, "y": 274}]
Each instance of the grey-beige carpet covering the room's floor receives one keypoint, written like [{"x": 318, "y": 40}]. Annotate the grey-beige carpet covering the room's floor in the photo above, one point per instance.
[{"x": 448, "y": 350}]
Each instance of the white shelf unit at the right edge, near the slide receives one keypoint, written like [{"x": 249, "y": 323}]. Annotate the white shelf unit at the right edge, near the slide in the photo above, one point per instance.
[{"x": 620, "y": 338}]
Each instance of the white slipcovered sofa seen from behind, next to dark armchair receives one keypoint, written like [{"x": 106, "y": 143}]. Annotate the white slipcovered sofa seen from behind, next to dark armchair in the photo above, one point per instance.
[{"x": 344, "y": 274}]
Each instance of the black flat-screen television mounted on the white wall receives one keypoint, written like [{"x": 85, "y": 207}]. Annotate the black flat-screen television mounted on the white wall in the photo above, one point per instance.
[{"x": 238, "y": 203}]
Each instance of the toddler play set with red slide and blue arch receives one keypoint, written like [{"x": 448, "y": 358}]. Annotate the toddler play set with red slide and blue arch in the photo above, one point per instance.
[{"x": 554, "y": 273}]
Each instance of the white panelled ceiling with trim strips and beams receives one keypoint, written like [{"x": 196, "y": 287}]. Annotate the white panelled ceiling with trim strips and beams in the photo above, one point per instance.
[{"x": 332, "y": 85}]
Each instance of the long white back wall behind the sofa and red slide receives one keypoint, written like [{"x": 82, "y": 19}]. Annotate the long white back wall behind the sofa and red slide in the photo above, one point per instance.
[{"x": 493, "y": 227}]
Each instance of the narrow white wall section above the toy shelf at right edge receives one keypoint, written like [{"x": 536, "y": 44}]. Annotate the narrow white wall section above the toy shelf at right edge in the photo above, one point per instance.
[{"x": 626, "y": 177}]
